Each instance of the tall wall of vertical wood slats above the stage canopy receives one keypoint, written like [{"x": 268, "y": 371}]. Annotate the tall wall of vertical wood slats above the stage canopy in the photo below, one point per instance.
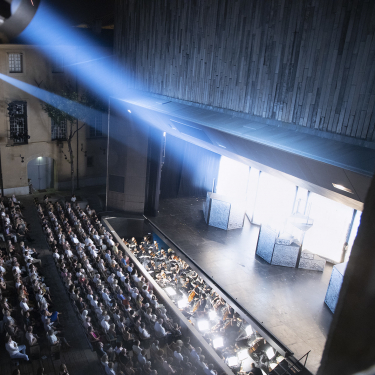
[{"x": 306, "y": 62}]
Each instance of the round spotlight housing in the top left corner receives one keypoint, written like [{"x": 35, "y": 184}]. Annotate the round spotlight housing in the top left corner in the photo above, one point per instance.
[{"x": 15, "y": 16}]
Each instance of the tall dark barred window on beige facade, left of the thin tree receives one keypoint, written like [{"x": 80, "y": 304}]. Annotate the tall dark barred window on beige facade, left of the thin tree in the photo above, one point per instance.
[{"x": 17, "y": 111}]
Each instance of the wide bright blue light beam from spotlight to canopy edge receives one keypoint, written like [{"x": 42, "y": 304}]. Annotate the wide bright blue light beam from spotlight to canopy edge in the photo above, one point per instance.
[{"x": 82, "y": 55}]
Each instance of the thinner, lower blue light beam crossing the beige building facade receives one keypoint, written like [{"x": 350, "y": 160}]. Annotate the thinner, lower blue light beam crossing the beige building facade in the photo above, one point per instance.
[{"x": 68, "y": 106}]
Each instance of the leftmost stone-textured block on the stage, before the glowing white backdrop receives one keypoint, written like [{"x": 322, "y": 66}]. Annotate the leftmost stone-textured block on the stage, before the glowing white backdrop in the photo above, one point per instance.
[{"x": 223, "y": 212}]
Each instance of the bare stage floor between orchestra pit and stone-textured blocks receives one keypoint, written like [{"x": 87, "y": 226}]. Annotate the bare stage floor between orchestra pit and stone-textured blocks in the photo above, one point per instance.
[{"x": 289, "y": 302}]
